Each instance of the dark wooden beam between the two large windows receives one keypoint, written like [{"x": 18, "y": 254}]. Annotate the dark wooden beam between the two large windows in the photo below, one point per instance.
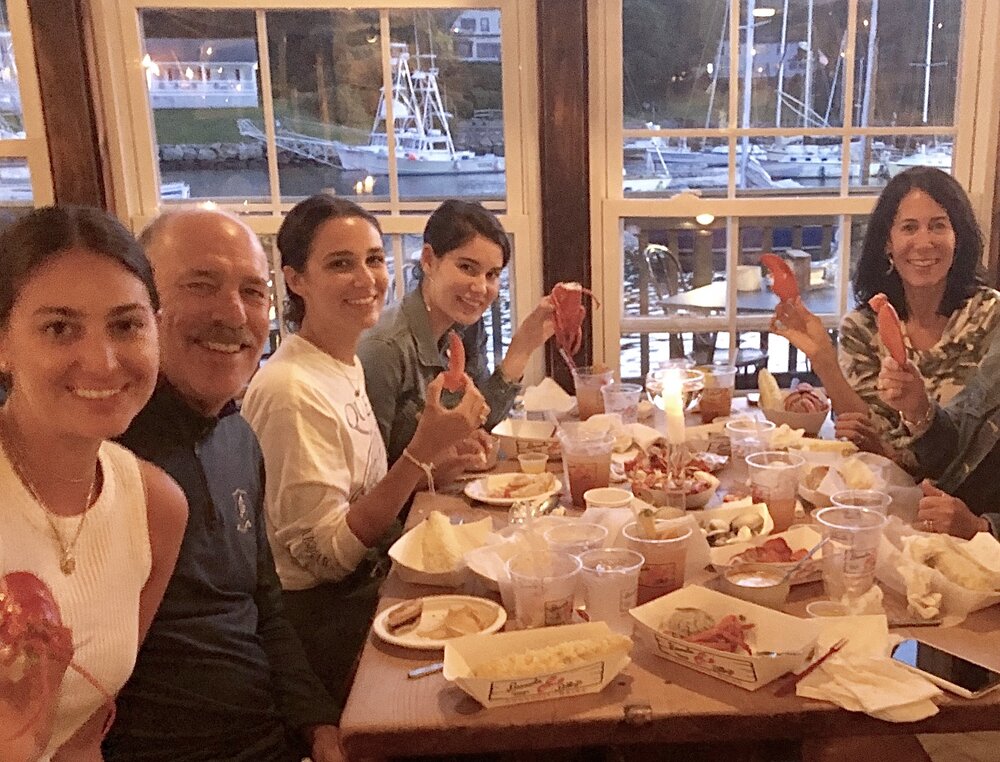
[{"x": 563, "y": 145}]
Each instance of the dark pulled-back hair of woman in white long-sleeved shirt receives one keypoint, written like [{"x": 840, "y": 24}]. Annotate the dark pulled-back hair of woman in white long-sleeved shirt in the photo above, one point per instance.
[{"x": 295, "y": 237}]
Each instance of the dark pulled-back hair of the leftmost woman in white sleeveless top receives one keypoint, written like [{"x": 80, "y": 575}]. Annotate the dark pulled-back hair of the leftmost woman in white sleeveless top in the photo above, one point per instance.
[{"x": 45, "y": 233}]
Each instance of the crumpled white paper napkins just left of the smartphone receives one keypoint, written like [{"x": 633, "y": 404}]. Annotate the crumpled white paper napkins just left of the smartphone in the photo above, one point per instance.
[{"x": 862, "y": 678}]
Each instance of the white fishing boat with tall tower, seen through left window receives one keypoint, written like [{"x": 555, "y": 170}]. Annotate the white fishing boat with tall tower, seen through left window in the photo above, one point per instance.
[{"x": 424, "y": 145}]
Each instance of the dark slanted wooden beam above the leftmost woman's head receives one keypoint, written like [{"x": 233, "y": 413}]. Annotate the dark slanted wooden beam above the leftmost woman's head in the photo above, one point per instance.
[{"x": 67, "y": 101}]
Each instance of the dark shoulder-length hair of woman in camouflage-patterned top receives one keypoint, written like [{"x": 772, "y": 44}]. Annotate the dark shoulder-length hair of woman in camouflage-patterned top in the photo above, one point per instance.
[{"x": 871, "y": 276}]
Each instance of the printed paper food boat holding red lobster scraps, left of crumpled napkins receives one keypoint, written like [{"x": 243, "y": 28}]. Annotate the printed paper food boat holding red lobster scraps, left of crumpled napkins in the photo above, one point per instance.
[{"x": 789, "y": 636}]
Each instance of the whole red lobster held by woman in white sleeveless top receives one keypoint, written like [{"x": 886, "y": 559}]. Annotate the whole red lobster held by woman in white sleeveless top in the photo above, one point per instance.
[{"x": 32, "y": 637}]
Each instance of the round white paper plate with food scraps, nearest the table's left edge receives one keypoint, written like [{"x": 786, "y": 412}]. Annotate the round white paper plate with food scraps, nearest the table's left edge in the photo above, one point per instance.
[{"x": 428, "y": 623}]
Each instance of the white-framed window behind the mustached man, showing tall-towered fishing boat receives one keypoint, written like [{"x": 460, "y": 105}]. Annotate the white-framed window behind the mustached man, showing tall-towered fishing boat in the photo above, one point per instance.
[{"x": 254, "y": 106}]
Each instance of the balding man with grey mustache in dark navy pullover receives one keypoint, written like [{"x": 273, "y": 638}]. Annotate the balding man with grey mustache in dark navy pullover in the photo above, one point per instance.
[{"x": 222, "y": 675}]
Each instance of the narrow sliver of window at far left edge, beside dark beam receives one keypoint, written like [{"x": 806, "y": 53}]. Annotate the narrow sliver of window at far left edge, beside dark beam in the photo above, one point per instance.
[{"x": 25, "y": 174}]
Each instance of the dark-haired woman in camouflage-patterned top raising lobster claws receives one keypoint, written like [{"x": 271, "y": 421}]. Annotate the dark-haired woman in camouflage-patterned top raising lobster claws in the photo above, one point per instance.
[{"x": 922, "y": 250}]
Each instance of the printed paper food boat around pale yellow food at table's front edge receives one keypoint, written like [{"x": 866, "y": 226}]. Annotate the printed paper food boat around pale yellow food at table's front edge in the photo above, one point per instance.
[{"x": 463, "y": 655}]
